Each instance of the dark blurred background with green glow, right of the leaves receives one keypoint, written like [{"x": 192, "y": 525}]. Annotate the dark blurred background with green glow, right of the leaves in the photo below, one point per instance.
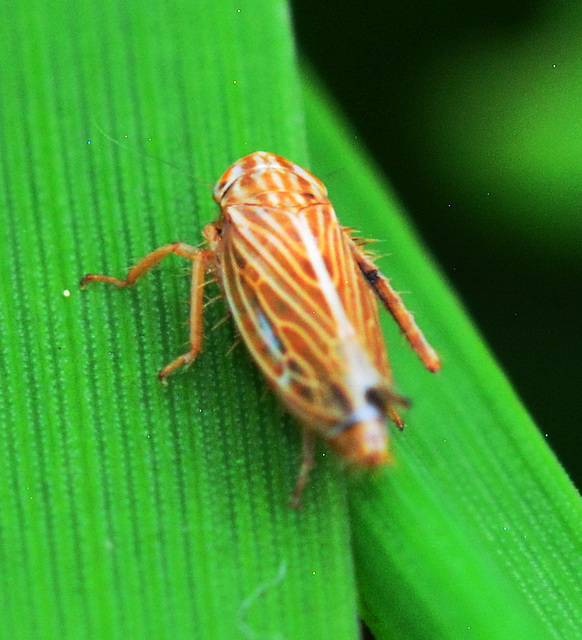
[{"x": 474, "y": 111}]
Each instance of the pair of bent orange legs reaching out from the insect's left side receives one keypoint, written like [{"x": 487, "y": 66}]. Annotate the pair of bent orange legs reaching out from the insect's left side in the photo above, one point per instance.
[{"x": 200, "y": 261}]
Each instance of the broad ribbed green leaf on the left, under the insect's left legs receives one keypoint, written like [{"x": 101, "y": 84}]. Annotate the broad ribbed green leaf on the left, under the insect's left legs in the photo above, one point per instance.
[{"x": 130, "y": 509}]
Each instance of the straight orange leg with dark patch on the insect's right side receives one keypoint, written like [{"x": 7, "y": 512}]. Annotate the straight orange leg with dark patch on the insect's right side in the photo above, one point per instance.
[{"x": 393, "y": 303}]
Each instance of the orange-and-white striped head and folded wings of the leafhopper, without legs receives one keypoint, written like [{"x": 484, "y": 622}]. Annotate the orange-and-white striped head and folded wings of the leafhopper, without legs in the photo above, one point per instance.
[{"x": 297, "y": 295}]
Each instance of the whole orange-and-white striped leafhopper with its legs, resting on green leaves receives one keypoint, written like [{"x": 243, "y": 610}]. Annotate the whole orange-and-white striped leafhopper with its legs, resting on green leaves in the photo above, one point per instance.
[{"x": 302, "y": 293}]
